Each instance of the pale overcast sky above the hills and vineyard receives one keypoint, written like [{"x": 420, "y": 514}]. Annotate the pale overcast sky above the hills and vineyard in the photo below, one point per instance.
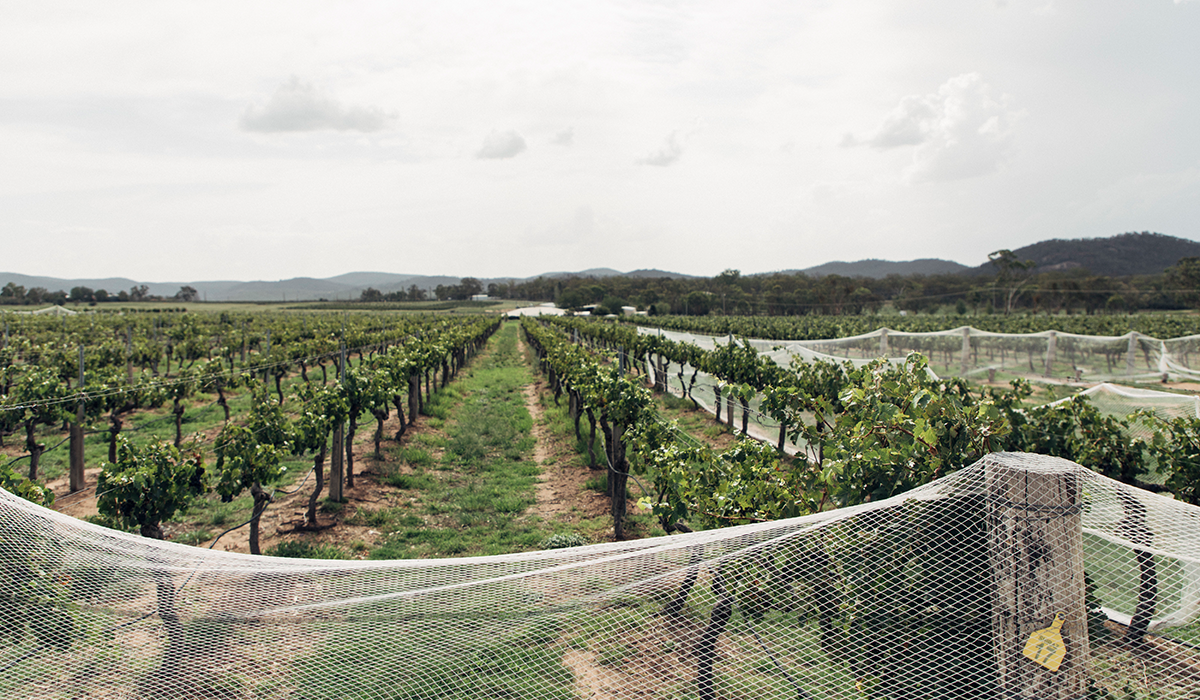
[{"x": 267, "y": 141}]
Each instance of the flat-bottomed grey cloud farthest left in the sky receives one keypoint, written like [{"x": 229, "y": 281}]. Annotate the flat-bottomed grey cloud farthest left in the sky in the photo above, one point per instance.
[{"x": 298, "y": 106}]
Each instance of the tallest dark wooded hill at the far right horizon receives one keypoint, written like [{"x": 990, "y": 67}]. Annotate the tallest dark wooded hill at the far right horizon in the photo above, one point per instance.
[{"x": 1129, "y": 254}]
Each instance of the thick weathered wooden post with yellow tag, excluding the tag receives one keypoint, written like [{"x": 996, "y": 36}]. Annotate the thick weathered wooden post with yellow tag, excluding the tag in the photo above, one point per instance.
[{"x": 1036, "y": 553}]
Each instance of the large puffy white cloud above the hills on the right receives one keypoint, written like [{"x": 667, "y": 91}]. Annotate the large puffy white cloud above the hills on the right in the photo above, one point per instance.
[{"x": 962, "y": 131}]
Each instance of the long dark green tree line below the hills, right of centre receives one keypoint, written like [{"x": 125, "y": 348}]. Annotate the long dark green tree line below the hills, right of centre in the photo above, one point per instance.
[{"x": 1011, "y": 285}]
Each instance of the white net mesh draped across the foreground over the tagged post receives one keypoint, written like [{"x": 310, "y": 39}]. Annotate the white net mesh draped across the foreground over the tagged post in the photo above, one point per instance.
[{"x": 949, "y": 591}]
